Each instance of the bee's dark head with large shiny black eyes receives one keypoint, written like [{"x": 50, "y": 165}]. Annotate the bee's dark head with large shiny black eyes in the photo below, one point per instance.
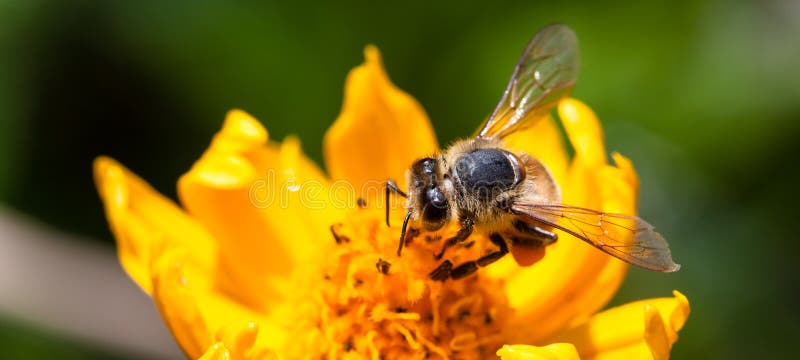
[{"x": 431, "y": 202}]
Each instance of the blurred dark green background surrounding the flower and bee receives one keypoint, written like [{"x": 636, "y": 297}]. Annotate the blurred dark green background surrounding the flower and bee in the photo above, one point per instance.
[{"x": 704, "y": 96}]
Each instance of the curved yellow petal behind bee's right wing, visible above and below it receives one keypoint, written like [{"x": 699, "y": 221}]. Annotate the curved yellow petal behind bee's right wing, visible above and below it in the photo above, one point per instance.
[{"x": 580, "y": 278}]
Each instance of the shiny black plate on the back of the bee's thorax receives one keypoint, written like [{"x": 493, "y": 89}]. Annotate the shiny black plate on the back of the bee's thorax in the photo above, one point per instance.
[{"x": 486, "y": 173}]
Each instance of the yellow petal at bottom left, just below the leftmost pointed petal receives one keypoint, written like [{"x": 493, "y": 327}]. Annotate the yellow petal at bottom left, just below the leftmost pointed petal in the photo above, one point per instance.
[{"x": 198, "y": 316}]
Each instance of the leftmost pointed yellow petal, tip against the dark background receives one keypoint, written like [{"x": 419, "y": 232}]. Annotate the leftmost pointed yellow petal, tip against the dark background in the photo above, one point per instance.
[{"x": 141, "y": 219}]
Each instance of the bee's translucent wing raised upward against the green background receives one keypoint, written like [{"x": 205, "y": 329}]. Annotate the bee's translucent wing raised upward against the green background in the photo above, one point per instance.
[{"x": 544, "y": 74}]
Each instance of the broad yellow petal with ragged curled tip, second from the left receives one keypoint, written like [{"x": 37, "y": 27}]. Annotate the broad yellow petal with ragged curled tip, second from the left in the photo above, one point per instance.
[{"x": 257, "y": 198}]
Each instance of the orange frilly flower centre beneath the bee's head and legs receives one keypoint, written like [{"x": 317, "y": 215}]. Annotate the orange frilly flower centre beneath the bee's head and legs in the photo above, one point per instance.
[{"x": 373, "y": 304}]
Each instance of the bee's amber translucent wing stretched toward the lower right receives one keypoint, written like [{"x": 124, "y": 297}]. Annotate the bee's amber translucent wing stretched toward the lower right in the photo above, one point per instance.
[{"x": 625, "y": 237}]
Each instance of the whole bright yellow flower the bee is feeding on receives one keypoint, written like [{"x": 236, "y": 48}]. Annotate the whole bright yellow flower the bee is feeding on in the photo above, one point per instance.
[{"x": 267, "y": 257}]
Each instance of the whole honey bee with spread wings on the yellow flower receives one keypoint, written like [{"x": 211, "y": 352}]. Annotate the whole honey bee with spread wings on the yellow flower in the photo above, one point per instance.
[{"x": 511, "y": 196}]
